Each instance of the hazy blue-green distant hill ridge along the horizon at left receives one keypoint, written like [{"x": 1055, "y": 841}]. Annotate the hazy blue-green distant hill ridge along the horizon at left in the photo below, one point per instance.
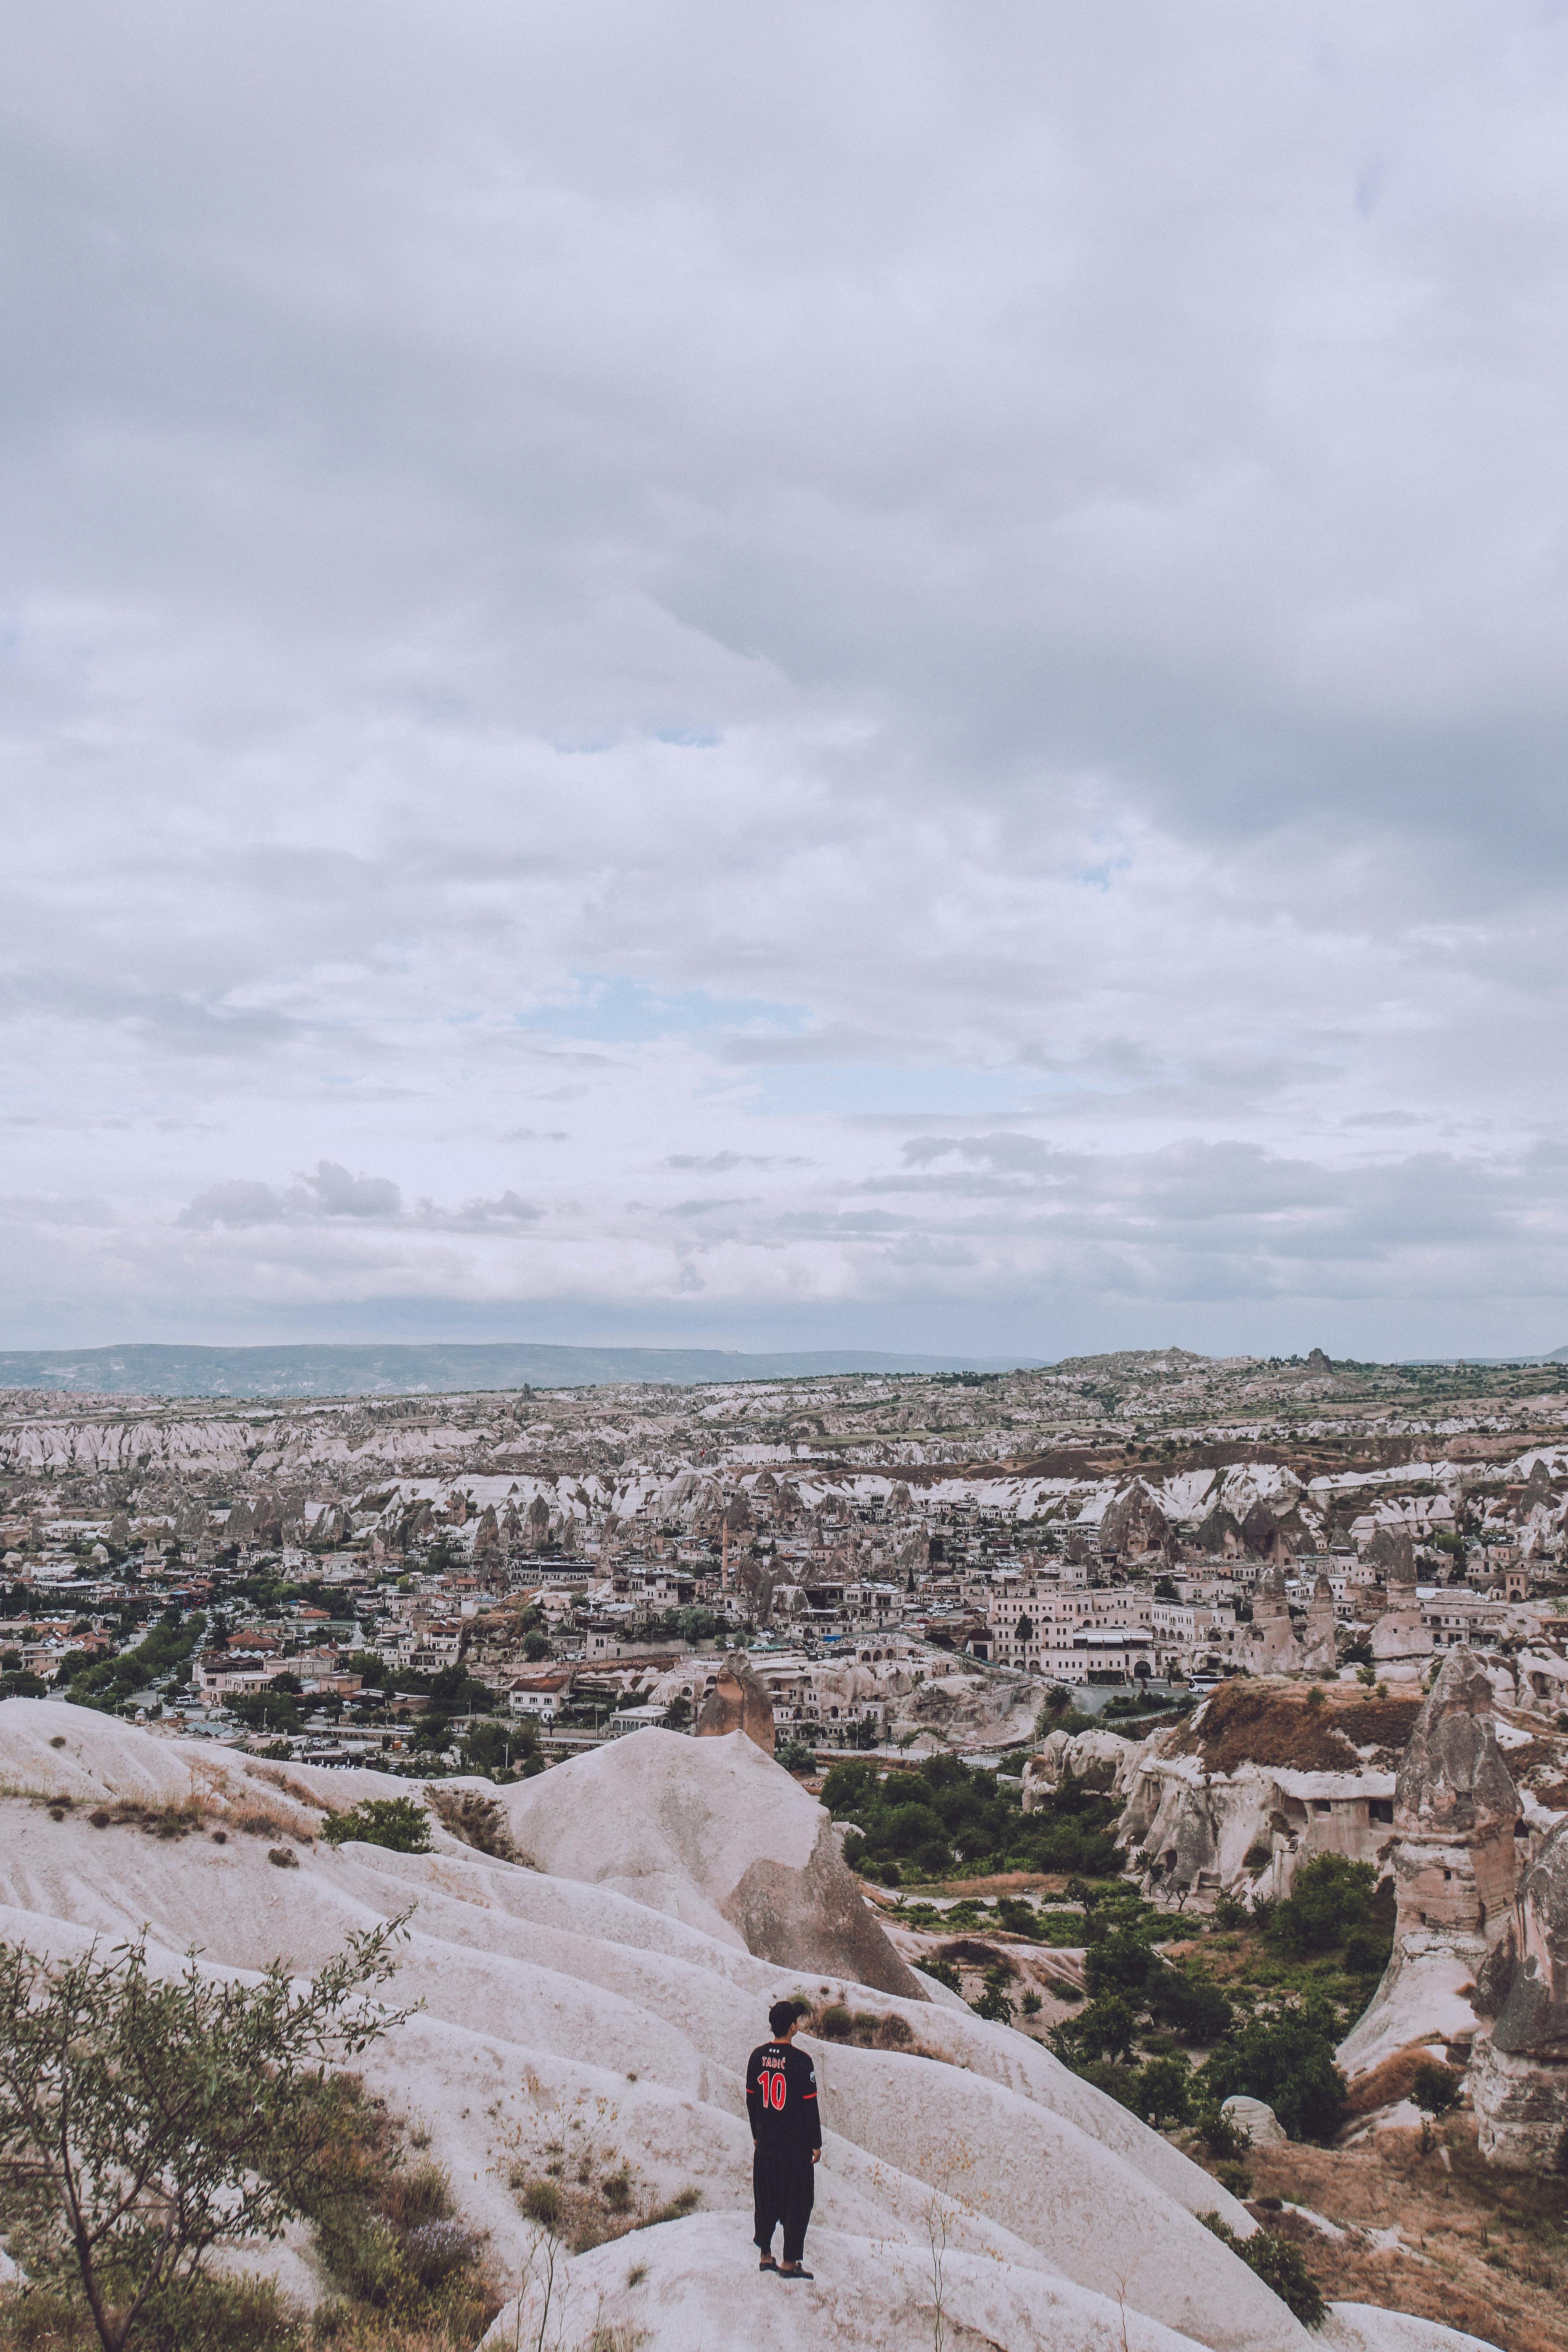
[{"x": 429, "y": 1370}]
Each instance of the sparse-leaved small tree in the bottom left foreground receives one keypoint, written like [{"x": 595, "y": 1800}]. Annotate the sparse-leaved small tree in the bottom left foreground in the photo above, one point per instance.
[{"x": 145, "y": 2123}]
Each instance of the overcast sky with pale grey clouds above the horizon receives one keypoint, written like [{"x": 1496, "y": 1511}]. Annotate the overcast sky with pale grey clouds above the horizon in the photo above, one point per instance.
[{"x": 791, "y": 676}]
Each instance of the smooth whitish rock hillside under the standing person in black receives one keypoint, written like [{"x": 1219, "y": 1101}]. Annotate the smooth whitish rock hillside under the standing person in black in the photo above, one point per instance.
[{"x": 612, "y": 1977}]
